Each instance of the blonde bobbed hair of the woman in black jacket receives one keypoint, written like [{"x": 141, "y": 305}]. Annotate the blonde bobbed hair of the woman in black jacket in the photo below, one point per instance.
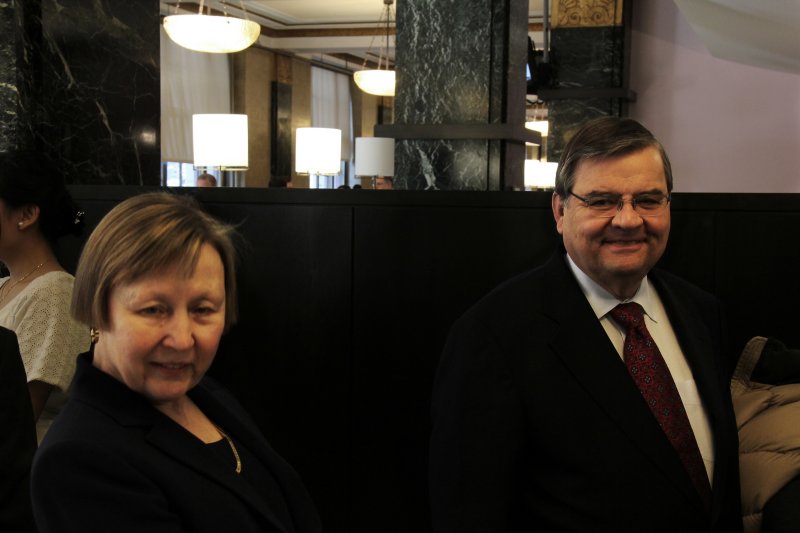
[{"x": 143, "y": 235}]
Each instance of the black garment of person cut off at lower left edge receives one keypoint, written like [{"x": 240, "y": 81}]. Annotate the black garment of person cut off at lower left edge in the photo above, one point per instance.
[{"x": 17, "y": 438}]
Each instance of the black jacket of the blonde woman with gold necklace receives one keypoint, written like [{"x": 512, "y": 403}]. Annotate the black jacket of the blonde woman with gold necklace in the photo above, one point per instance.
[{"x": 112, "y": 462}]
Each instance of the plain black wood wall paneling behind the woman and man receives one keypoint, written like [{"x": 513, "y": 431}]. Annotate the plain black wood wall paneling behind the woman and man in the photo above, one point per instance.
[{"x": 347, "y": 296}]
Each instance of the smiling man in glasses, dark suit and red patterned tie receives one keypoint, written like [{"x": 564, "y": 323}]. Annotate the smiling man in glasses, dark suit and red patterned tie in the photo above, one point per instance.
[{"x": 541, "y": 422}]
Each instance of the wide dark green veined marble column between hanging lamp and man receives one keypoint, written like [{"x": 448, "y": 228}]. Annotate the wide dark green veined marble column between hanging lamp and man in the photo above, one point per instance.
[{"x": 460, "y": 98}]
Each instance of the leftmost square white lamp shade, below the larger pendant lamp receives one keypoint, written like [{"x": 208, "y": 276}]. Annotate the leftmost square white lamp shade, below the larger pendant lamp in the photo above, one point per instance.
[{"x": 220, "y": 141}]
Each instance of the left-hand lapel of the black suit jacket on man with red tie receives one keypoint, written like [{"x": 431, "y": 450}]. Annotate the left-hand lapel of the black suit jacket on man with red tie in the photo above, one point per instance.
[{"x": 597, "y": 366}]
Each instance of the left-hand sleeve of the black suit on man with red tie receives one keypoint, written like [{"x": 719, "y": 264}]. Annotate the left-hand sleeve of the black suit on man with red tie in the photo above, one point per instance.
[{"x": 477, "y": 442}]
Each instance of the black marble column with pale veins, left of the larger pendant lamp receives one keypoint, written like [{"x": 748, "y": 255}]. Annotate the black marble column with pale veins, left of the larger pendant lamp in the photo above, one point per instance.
[{"x": 100, "y": 106}]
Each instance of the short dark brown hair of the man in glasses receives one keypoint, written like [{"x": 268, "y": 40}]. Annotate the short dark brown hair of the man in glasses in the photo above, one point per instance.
[{"x": 605, "y": 138}]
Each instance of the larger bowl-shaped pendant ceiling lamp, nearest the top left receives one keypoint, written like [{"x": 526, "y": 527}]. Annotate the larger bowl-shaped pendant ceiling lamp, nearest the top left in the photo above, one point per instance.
[{"x": 211, "y": 33}]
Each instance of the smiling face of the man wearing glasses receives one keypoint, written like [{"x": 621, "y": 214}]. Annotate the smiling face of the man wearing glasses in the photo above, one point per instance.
[{"x": 615, "y": 252}]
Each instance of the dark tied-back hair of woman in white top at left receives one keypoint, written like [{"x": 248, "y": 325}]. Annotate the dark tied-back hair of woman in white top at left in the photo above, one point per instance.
[{"x": 28, "y": 178}]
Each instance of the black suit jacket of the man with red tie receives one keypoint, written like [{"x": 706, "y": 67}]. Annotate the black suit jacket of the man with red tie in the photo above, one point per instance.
[{"x": 538, "y": 427}]
